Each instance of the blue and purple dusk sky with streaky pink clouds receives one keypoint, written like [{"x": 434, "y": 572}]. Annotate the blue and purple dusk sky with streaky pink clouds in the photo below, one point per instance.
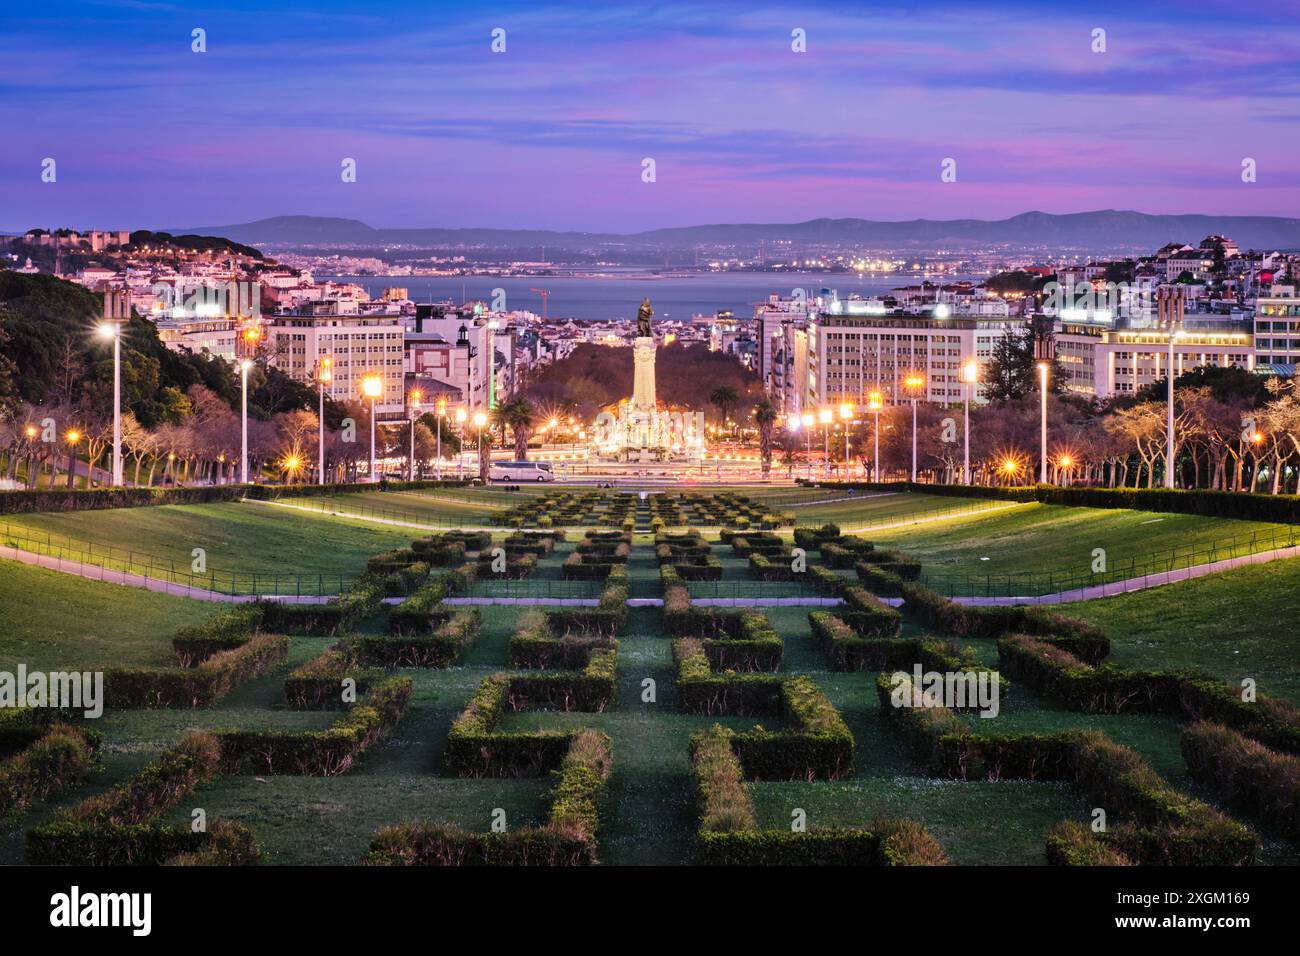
[{"x": 552, "y": 133}]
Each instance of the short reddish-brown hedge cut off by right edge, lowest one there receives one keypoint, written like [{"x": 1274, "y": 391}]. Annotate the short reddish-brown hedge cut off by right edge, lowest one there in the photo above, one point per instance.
[{"x": 1245, "y": 773}]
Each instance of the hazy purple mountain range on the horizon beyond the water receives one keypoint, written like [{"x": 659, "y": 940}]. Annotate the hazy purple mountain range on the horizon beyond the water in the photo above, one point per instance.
[{"x": 1104, "y": 230}]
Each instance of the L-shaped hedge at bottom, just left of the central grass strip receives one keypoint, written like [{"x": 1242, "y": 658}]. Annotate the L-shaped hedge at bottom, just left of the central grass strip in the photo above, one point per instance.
[{"x": 567, "y": 840}]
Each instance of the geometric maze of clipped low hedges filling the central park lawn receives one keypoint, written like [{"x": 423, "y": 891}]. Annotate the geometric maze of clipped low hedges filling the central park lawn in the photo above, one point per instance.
[{"x": 764, "y": 734}]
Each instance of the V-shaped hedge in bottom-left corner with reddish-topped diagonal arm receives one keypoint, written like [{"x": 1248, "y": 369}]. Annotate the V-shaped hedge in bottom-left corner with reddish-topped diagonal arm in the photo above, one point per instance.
[{"x": 122, "y": 827}]
